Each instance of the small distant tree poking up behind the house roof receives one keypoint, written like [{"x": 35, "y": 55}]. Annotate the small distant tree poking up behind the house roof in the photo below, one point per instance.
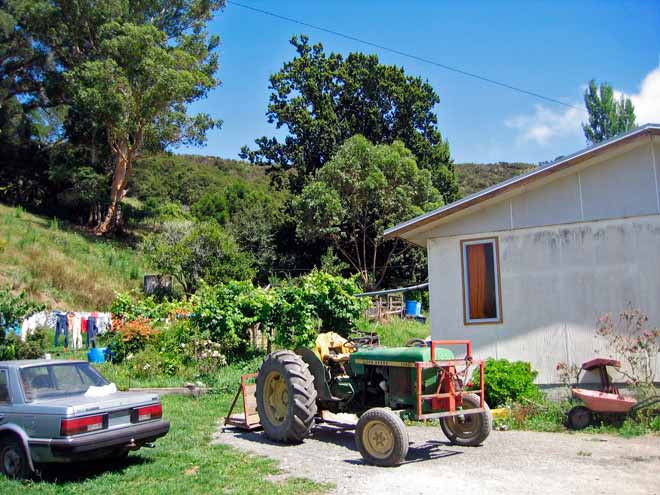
[{"x": 607, "y": 115}]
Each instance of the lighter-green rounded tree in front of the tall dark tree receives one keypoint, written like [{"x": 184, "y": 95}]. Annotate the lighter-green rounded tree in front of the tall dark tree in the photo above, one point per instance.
[{"x": 352, "y": 198}]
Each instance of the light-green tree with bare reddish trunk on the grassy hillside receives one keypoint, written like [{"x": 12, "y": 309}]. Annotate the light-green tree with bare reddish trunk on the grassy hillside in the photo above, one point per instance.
[{"x": 138, "y": 91}]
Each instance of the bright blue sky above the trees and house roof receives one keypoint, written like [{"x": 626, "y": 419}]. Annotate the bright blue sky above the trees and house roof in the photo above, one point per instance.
[{"x": 553, "y": 48}]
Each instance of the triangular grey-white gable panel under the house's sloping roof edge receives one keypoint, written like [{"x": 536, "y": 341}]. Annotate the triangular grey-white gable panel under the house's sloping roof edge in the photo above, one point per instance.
[{"x": 622, "y": 185}]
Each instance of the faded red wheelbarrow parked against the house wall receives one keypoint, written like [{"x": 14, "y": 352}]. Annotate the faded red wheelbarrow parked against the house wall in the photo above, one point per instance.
[{"x": 607, "y": 401}]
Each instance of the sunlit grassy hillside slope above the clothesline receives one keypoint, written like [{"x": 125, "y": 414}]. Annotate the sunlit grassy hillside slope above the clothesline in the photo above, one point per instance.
[{"x": 61, "y": 267}]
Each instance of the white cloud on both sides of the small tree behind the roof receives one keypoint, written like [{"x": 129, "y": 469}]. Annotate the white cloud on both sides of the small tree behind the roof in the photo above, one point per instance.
[{"x": 546, "y": 124}]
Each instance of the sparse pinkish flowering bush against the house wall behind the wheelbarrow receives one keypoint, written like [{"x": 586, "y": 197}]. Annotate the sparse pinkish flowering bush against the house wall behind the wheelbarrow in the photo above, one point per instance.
[{"x": 634, "y": 342}]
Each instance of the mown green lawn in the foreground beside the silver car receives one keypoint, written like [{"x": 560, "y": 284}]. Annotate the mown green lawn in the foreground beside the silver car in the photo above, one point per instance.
[{"x": 182, "y": 462}]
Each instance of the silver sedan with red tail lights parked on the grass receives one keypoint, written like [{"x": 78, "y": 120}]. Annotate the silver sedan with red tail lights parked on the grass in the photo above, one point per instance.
[{"x": 47, "y": 414}]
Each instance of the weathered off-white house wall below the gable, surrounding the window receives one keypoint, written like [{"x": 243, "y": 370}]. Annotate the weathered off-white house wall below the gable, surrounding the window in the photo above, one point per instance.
[{"x": 556, "y": 281}]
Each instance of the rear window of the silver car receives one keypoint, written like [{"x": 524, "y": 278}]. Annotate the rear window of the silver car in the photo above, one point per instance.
[{"x": 55, "y": 380}]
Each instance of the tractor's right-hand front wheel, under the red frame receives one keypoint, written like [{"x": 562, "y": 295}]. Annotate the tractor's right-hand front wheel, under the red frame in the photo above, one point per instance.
[{"x": 469, "y": 430}]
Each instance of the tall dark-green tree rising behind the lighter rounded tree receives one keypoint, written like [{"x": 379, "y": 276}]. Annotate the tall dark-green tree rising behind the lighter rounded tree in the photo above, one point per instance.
[{"x": 322, "y": 100}]
